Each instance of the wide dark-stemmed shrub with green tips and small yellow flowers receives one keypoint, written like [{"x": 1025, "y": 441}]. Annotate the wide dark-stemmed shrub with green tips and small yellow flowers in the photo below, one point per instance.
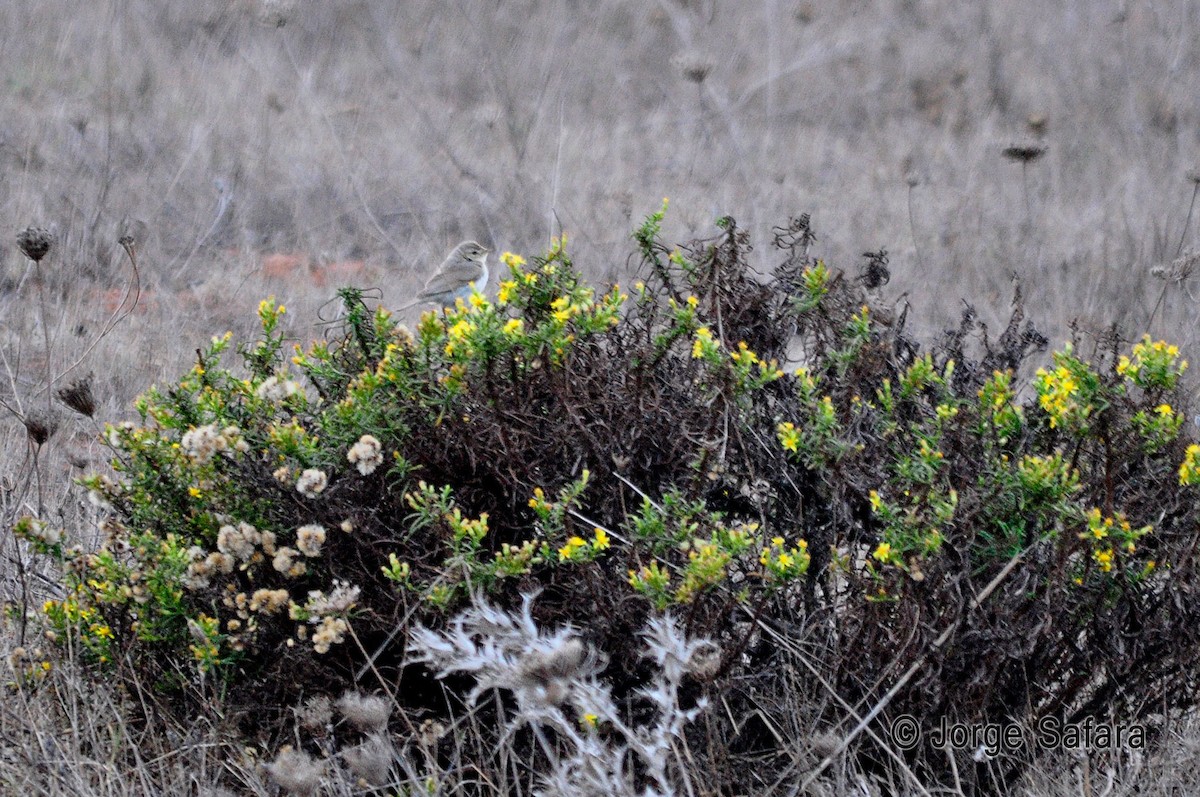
[{"x": 1022, "y": 544}]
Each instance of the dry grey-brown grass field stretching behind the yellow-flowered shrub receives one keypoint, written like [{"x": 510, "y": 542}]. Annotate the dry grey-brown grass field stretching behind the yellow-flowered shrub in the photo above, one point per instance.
[{"x": 359, "y": 141}]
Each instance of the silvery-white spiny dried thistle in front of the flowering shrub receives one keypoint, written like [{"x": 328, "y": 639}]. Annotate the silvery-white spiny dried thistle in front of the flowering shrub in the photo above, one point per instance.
[{"x": 556, "y": 679}]
